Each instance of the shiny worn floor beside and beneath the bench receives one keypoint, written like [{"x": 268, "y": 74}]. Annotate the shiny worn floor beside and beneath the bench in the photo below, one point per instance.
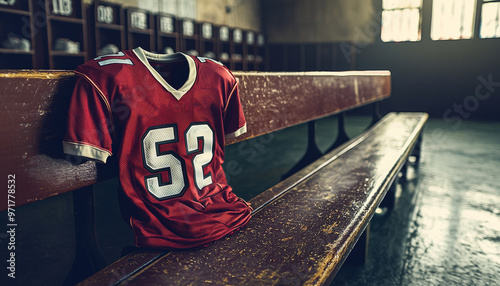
[{"x": 445, "y": 229}]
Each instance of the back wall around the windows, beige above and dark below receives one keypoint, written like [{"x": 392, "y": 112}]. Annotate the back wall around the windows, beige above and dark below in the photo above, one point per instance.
[{"x": 453, "y": 80}]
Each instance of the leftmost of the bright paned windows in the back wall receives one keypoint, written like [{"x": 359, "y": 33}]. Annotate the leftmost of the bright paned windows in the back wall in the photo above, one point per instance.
[{"x": 401, "y": 20}]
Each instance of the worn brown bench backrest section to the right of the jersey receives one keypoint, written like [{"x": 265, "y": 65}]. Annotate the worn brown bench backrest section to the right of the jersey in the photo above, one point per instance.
[{"x": 276, "y": 100}]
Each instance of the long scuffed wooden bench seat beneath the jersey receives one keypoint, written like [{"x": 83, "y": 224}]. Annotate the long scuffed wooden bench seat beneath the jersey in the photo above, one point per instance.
[{"x": 302, "y": 237}]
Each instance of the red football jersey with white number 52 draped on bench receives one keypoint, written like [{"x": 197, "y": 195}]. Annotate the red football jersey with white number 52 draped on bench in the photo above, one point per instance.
[{"x": 165, "y": 117}]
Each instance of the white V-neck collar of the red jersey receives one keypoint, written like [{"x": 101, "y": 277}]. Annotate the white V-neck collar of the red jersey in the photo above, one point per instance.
[{"x": 144, "y": 55}]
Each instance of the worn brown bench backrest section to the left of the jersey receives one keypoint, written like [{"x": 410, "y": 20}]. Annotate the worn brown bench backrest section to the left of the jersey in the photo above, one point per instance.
[{"x": 34, "y": 107}]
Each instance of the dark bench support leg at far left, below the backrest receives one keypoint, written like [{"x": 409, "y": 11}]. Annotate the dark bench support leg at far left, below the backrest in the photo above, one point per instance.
[{"x": 88, "y": 258}]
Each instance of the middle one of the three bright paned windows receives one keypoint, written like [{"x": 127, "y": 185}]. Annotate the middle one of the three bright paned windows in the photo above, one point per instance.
[{"x": 452, "y": 19}]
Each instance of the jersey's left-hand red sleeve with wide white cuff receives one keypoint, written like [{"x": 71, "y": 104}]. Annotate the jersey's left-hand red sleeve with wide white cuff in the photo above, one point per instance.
[{"x": 89, "y": 127}]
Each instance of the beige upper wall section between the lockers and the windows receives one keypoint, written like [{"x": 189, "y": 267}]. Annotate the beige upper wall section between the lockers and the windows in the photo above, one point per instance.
[{"x": 306, "y": 21}]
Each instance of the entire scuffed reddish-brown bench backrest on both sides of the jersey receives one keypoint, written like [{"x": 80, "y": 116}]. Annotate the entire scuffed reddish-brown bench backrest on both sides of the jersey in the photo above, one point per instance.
[{"x": 35, "y": 104}]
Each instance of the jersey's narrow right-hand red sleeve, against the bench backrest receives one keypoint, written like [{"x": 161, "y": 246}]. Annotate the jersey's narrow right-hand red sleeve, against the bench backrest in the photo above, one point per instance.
[{"x": 234, "y": 118}]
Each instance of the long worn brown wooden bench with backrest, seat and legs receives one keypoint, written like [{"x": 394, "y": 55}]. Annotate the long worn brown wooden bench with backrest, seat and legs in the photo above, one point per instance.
[{"x": 302, "y": 229}]
